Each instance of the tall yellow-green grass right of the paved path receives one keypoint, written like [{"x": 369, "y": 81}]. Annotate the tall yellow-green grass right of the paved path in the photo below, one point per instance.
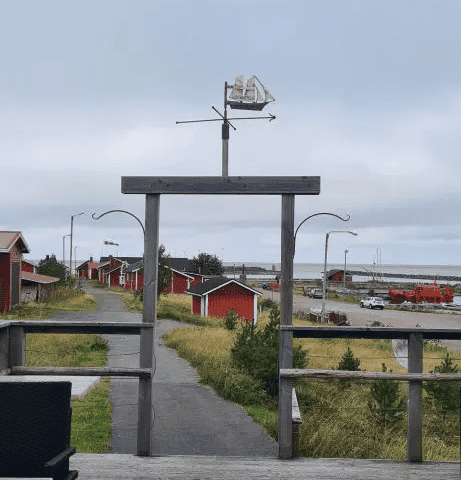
[{"x": 337, "y": 421}]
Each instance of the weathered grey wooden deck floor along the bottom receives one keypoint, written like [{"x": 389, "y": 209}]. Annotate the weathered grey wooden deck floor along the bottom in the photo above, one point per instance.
[{"x": 126, "y": 467}]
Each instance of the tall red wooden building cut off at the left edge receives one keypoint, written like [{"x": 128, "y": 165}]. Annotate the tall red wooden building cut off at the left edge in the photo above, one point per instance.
[{"x": 12, "y": 247}]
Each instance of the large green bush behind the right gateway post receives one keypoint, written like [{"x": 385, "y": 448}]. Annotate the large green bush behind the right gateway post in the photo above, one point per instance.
[{"x": 255, "y": 351}]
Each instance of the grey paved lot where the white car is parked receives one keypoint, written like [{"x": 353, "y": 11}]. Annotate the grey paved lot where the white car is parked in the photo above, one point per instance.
[{"x": 360, "y": 317}]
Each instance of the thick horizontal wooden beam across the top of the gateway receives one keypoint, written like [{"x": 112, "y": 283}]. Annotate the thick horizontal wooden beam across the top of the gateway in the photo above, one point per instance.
[{"x": 222, "y": 185}]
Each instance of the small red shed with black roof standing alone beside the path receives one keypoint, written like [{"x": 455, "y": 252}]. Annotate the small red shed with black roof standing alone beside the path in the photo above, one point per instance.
[{"x": 217, "y": 296}]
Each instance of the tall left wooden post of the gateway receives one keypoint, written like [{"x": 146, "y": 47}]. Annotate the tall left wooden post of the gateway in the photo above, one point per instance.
[{"x": 151, "y": 244}]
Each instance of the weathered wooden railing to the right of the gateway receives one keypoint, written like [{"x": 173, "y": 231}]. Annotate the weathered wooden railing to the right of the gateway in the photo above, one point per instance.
[{"x": 415, "y": 375}]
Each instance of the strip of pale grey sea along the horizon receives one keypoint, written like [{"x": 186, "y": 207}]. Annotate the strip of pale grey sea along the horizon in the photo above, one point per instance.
[{"x": 314, "y": 271}]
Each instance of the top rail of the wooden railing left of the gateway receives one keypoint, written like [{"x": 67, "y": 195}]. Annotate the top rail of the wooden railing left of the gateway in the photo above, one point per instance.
[{"x": 106, "y": 328}]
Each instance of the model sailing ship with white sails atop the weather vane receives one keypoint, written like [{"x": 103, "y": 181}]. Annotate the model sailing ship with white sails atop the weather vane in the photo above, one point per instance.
[{"x": 248, "y": 97}]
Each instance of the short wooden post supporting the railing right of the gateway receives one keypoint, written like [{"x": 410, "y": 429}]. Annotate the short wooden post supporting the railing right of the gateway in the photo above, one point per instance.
[{"x": 415, "y": 428}]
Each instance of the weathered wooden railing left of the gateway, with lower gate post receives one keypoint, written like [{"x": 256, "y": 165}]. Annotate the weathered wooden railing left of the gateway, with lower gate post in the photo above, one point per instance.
[{"x": 12, "y": 357}]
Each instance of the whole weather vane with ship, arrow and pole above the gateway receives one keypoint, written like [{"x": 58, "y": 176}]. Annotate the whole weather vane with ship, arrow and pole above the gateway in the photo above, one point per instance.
[{"x": 242, "y": 97}]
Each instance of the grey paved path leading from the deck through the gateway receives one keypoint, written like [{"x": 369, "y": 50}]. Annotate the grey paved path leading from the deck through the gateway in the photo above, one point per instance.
[{"x": 190, "y": 419}]
